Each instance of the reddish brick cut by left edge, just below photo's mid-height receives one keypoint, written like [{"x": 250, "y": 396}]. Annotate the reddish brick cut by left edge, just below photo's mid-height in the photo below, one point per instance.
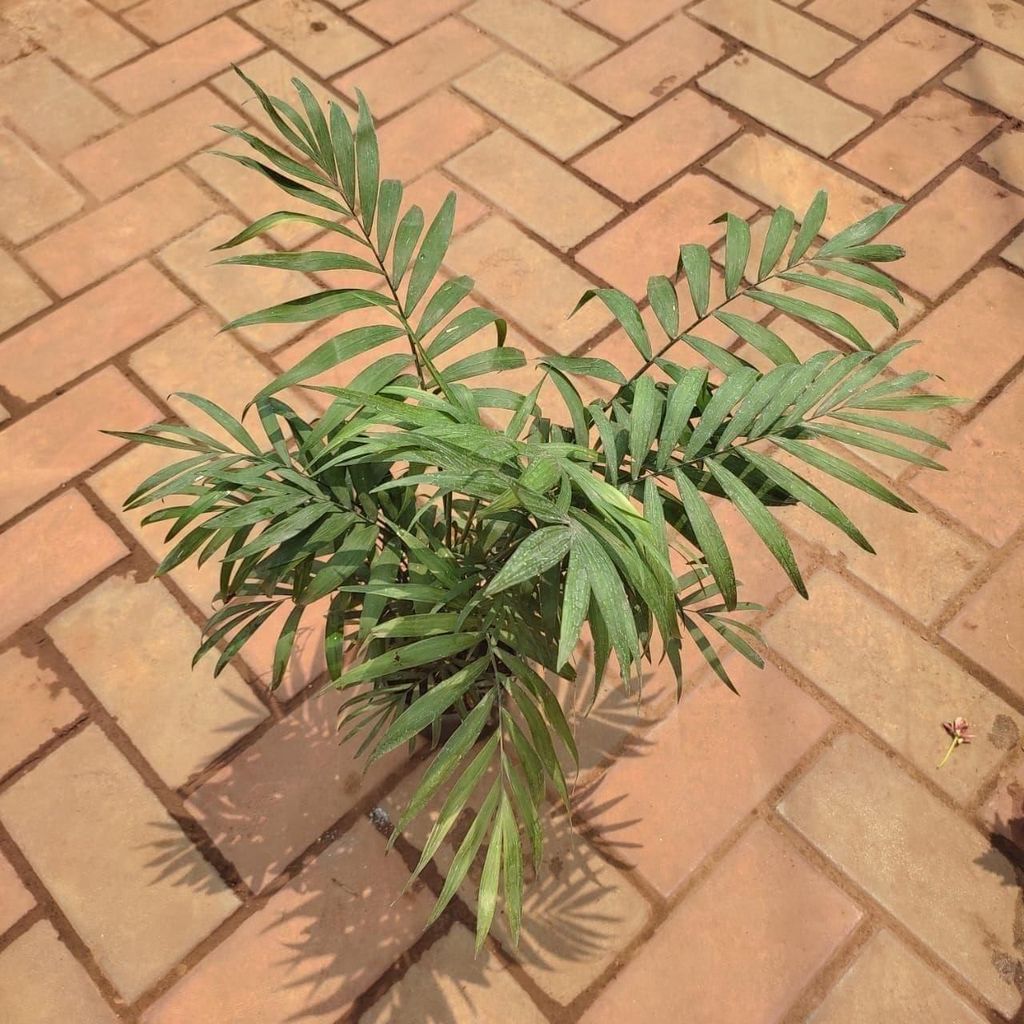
[{"x": 46, "y": 572}]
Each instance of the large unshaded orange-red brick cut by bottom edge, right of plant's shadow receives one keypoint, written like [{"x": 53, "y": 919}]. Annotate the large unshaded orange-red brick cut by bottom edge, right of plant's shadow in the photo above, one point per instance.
[{"x": 767, "y": 923}]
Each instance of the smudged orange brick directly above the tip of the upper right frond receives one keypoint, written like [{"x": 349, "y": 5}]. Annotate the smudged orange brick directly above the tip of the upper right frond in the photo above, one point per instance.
[{"x": 920, "y": 143}]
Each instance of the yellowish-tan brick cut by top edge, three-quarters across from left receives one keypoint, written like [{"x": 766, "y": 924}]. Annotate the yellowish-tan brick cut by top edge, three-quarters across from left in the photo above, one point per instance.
[{"x": 786, "y": 35}]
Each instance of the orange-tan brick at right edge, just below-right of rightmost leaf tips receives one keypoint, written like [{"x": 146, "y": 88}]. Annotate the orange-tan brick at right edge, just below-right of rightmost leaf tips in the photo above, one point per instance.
[{"x": 985, "y": 462}]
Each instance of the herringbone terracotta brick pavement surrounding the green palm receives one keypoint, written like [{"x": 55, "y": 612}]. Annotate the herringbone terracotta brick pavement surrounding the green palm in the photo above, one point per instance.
[{"x": 178, "y": 850}]
